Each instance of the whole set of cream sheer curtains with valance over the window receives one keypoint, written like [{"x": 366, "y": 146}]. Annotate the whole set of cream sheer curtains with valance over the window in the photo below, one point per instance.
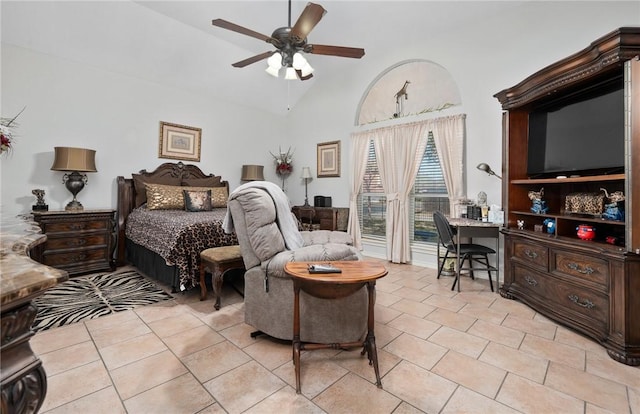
[{"x": 399, "y": 151}]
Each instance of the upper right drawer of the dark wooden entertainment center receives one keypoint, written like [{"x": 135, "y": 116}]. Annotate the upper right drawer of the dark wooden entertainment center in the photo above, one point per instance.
[{"x": 580, "y": 266}]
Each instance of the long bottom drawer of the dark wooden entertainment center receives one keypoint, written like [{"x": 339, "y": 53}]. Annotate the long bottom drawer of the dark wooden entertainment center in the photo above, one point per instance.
[{"x": 573, "y": 302}]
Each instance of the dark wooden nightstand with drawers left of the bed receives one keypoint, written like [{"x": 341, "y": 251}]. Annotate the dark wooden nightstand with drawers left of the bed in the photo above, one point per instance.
[{"x": 77, "y": 241}]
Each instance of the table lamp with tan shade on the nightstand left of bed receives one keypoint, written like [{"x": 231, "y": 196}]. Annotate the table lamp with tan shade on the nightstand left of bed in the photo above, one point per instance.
[{"x": 74, "y": 161}]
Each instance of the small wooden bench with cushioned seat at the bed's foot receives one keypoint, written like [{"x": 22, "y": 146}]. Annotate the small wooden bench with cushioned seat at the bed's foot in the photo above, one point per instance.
[{"x": 218, "y": 260}]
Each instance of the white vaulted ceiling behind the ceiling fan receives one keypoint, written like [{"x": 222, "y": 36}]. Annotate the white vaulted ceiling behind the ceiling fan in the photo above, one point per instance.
[{"x": 174, "y": 43}]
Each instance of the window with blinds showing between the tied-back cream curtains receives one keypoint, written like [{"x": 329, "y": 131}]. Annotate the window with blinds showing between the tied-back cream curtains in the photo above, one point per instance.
[{"x": 429, "y": 194}]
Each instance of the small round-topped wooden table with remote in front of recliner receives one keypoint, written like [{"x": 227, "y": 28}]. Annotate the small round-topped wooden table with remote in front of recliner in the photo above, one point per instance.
[{"x": 355, "y": 274}]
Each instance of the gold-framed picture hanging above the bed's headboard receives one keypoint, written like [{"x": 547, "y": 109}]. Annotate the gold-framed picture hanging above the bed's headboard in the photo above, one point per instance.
[{"x": 179, "y": 142}]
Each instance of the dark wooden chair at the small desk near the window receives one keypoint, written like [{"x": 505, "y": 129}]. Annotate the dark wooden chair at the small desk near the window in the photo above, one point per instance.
[{"x": 469, "y": 252}]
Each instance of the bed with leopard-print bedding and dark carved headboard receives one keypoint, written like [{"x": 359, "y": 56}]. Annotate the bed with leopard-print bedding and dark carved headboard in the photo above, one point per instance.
[{"x": 155, "y": 232}]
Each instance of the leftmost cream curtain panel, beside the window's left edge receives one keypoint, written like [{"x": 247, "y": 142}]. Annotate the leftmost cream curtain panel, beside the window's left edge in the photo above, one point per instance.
[{"x": 359, "y": 155}]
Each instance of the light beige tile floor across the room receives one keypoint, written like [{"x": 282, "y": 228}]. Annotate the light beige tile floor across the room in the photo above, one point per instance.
[{"x": 439, "y": 352}]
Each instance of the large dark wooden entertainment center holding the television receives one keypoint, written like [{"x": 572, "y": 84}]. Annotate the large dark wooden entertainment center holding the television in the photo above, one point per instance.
[{"x": 590, "y": 286}]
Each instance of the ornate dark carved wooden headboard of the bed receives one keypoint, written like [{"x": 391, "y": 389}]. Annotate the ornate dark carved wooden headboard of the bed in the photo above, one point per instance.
[{"x": 127, "y": 194}]
